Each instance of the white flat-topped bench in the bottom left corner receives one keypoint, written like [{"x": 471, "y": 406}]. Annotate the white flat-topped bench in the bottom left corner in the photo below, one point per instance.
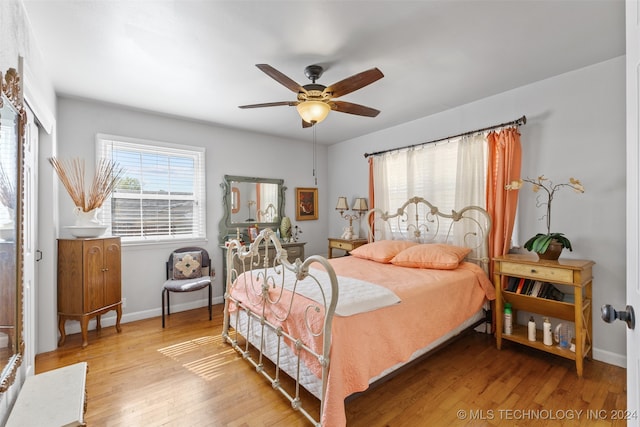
[{"x": 55, "y": 398}]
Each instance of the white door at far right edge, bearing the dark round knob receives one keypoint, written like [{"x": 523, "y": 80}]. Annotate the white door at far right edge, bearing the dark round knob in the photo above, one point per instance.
[{"x": 633, "y": 211}]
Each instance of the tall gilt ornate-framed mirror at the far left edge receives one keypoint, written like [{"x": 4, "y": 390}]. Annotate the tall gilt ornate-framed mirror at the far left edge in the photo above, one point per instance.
[{"x": 11, "y": 259}]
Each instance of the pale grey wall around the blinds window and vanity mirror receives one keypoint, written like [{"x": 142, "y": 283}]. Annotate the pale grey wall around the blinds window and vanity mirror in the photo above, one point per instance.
[{"x": 227, "y": 152}]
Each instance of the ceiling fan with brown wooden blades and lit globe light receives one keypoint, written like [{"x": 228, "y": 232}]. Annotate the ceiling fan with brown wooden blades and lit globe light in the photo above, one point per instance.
[{"x": 316, "y": 100}]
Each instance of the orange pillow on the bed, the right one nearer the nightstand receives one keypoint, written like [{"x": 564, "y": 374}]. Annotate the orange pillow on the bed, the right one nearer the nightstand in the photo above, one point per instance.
[{"x": 432, "y": 255}]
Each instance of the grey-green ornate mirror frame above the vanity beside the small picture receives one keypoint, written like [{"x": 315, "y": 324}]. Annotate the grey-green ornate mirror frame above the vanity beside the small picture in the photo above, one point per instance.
[{"x": 227, "y": 226}]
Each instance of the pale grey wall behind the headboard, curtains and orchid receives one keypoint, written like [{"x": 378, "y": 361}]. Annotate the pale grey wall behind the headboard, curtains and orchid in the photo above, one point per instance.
[{"x": 575, "y": 128}]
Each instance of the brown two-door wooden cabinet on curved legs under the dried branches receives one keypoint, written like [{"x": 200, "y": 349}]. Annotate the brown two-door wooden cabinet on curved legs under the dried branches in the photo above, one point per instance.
[{"x": 89, "y": 282}]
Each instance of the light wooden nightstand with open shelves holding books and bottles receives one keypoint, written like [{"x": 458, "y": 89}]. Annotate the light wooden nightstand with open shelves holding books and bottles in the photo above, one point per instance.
[{"x": 574, "y": 275}]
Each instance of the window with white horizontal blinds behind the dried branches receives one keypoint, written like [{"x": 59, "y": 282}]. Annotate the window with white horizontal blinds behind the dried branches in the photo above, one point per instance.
[{"x": 162, "y": 193}]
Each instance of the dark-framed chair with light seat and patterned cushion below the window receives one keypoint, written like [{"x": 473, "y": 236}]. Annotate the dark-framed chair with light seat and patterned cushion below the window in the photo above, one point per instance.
[{"x": 188, "y": 269}]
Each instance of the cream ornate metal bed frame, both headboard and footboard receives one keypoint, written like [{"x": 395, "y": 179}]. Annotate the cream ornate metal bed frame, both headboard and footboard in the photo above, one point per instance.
[{"x": 416, "y": 219}]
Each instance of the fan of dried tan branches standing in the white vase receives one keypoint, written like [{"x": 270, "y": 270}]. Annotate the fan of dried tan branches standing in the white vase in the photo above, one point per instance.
[{"x": 72, "y": 172}]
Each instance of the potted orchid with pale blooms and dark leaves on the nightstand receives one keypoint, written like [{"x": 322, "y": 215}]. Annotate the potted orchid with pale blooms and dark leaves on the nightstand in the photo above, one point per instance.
[{"x": 547, "y": 245}]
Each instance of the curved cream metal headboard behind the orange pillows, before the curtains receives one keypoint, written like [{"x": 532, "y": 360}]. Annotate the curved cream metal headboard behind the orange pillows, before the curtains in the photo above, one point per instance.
[{"x": 418, "y": 220}]
